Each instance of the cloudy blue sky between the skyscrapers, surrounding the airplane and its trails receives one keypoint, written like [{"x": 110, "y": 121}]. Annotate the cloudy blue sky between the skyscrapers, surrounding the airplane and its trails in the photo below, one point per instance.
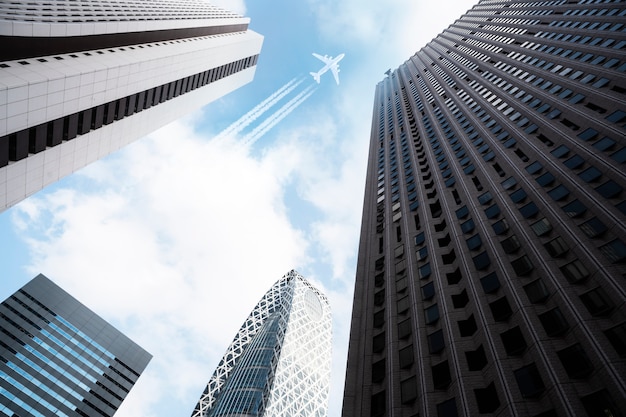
[{"x": 175, "y": 238}]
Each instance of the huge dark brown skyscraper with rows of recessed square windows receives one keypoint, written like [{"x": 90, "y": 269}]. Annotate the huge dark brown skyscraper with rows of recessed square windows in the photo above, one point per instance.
[{"x": 491, "y": 276}]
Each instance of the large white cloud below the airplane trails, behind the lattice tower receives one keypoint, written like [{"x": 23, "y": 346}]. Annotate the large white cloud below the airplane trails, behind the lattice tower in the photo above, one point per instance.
[{"x": 174, "y": 241}]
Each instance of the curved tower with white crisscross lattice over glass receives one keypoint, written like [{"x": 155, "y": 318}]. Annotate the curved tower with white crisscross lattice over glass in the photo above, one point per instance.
[{"x": 279, "y": 362}]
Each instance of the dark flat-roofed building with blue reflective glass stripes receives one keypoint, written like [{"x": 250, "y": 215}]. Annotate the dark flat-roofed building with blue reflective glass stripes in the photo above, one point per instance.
[{"x": 59, "y": 358}]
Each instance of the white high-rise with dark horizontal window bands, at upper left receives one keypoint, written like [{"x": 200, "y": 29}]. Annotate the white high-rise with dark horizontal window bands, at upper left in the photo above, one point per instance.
[{"x": 80, "y": 79}]
